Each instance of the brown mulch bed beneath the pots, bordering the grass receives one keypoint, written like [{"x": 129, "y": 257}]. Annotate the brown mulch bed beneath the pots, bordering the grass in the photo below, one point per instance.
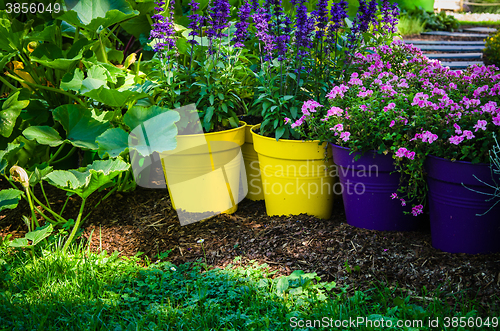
[{"x": 144, "y": 221}]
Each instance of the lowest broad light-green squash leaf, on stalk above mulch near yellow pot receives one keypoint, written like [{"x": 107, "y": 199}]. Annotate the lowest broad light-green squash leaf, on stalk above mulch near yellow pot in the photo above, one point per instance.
[{"x": 94, "y": 176}]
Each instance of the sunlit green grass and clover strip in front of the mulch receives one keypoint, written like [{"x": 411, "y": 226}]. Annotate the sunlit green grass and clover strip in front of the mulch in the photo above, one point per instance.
[{"x": 80, "y": 291}]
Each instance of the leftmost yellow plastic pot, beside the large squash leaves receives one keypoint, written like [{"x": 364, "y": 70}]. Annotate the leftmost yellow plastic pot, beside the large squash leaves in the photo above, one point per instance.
[{"x": 203, "y": 172}]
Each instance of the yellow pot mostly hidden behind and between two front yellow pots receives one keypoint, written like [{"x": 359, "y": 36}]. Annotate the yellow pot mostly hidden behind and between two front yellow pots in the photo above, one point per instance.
[{"x": 254, "y": 182}]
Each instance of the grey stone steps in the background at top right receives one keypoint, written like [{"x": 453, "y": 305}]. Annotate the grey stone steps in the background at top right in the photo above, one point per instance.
[{"x": 456, "y": 53}]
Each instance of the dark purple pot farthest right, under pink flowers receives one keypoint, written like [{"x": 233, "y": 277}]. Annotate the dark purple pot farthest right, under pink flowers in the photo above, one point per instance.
[{"x": 455, "y": 228}]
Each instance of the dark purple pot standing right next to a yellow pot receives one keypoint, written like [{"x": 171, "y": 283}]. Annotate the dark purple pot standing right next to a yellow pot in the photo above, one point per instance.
[{"x": 367, "y": 185}]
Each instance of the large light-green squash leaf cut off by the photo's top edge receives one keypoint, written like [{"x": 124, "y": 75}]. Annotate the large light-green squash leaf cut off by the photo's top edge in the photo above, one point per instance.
[{"x": 93, "y": 14}]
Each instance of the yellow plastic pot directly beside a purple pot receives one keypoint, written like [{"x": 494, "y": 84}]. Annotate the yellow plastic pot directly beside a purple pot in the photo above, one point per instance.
[{"x": 296, "y": 176}]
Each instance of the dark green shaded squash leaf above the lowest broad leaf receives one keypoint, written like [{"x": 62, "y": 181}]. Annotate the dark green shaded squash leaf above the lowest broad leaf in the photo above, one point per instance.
[{"x": 81, "y": 127}]
